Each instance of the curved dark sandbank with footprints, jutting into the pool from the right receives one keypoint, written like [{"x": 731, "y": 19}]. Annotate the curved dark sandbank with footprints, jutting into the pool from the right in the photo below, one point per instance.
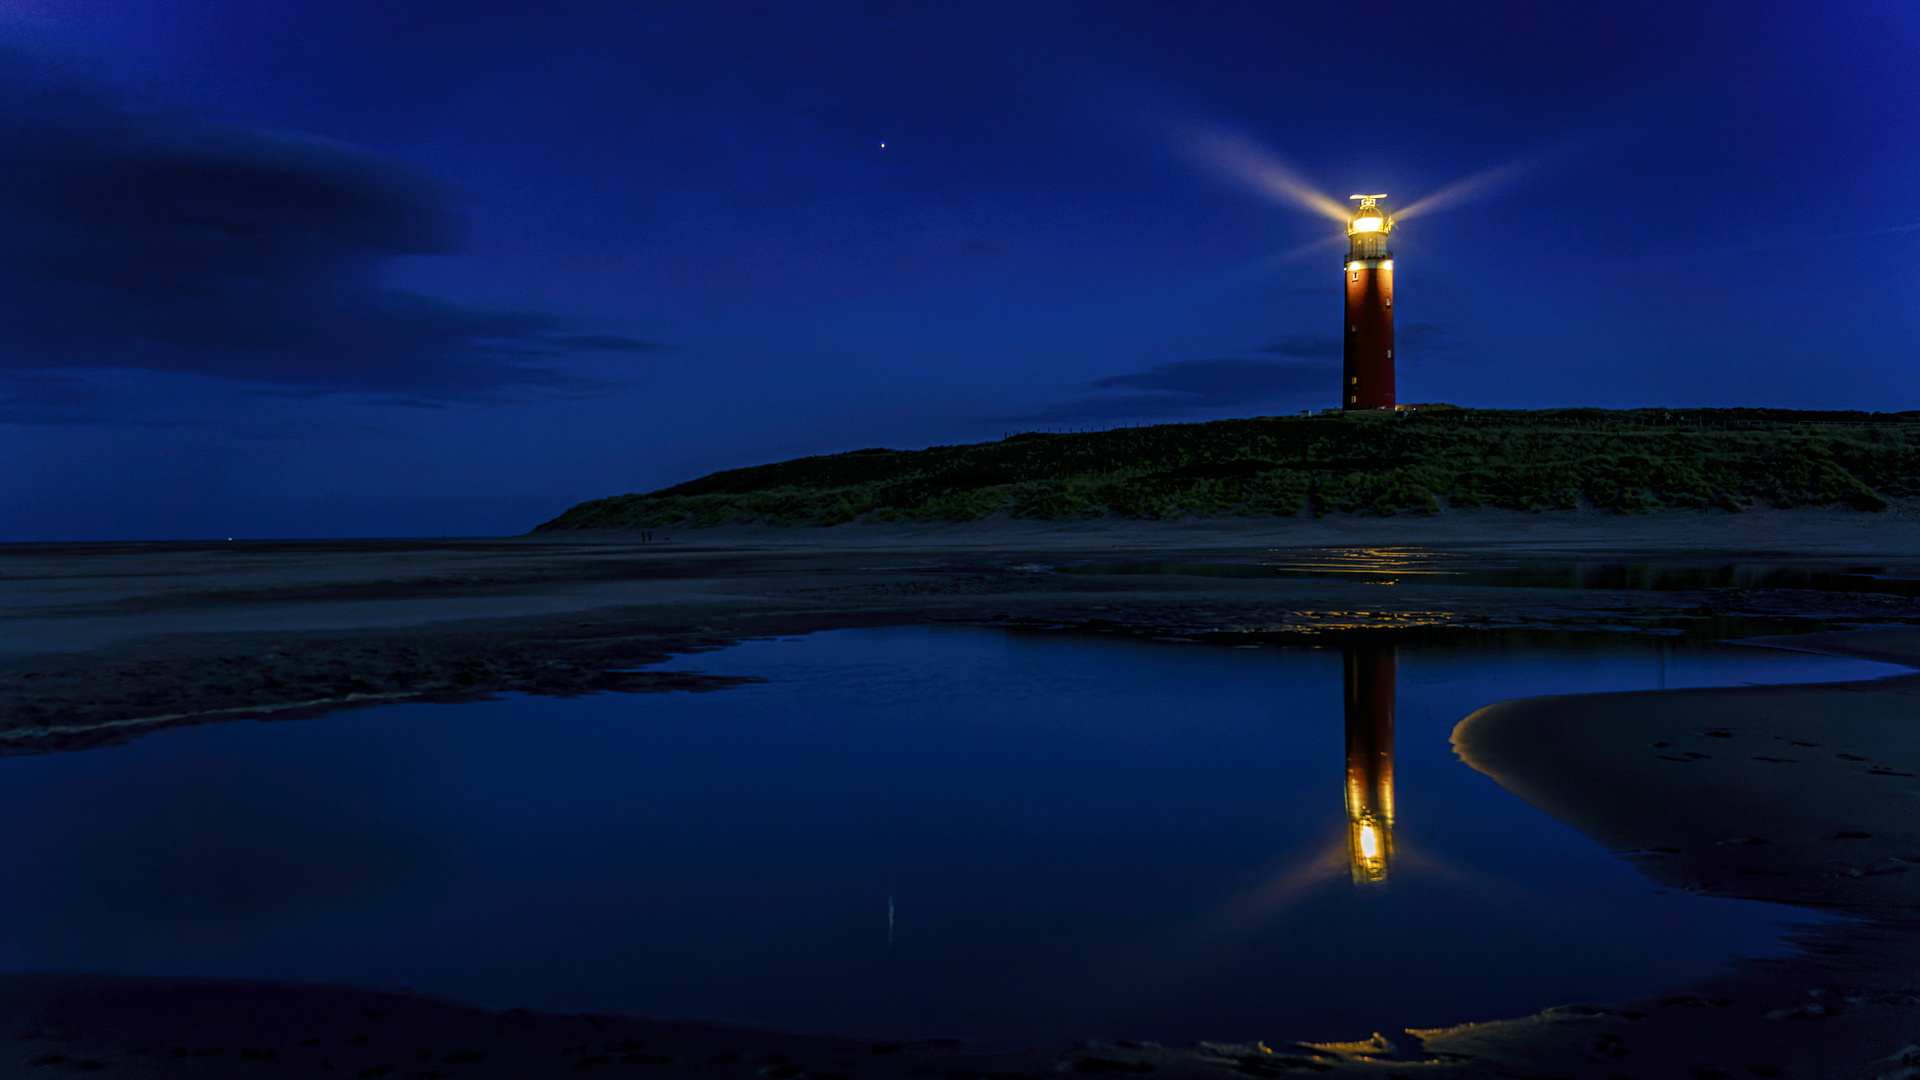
[{"x": 1794, "y": 795}]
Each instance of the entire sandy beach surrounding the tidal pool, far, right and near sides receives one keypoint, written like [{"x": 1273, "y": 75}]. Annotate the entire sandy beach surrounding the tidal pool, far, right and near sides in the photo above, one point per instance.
[{"x": 107, "y": 643}]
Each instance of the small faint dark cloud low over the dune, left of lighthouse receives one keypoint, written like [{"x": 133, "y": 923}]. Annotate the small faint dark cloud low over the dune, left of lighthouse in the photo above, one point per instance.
[{"x": 1193, "y": 385}]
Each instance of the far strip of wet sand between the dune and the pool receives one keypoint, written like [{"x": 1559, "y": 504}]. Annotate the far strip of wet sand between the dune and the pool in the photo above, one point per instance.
[{"x": 105, "y": 641}]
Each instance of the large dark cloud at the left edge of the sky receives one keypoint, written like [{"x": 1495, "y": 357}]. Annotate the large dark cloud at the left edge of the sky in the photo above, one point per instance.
[{"x": 145, "y": 239}]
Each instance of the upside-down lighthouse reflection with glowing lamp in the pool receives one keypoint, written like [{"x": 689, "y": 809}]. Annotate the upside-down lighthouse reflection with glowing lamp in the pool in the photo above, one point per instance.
[{"x": 1370, "y": 762}]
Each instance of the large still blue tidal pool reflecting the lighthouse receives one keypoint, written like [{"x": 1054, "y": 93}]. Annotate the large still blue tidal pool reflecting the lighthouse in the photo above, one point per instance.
[{"x": 1003, "y": 837}]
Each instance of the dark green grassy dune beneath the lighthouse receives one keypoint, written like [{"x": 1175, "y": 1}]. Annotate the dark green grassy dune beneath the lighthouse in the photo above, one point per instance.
[{"x": 1368, "y": 464}]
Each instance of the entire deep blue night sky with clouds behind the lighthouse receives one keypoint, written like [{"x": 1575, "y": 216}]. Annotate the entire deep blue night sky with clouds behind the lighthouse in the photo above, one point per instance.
[{"x": 337, "y": 268}]
